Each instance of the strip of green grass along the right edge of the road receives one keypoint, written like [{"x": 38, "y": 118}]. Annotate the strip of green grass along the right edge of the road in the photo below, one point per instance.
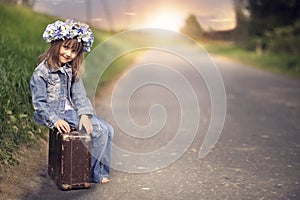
[{"x": 279, "y": 63}]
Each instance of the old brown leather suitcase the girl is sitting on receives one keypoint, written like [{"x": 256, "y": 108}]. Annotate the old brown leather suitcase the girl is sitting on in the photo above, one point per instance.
[{"x": 69, "y": 162}]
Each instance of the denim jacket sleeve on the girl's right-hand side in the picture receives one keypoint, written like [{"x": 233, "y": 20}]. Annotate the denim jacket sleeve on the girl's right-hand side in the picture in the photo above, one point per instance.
[{"x": 78, "y": 94}]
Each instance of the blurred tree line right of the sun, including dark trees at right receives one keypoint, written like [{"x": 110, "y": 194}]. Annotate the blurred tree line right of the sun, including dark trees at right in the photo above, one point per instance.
[{"x": 271, "y": 25}]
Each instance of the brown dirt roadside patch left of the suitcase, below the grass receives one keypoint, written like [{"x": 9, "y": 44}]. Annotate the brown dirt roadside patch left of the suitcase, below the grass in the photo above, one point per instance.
[{"x": 17, "y": 181}]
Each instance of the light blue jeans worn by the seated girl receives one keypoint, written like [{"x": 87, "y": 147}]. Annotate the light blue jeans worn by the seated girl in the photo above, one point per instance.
[{"x": 101, "y": 144}]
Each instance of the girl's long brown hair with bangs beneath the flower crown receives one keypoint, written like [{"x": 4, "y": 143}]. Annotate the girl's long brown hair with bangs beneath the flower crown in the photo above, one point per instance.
[{"x": 52, "y": 59}]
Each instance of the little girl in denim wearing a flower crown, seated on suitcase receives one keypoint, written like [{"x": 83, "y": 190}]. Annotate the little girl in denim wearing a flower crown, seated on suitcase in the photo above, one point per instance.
[{"x": 58, "y": 95}]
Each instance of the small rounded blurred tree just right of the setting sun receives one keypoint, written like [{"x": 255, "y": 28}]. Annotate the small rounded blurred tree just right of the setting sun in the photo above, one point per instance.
[{"x": 192, "y": 27}]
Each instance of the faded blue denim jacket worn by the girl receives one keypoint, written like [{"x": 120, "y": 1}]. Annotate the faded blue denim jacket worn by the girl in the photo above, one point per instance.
[{"x": 50, "y": 89}]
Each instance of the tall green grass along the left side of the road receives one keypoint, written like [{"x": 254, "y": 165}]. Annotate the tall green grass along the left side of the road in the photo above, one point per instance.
[{"x": 21, "y": 43}]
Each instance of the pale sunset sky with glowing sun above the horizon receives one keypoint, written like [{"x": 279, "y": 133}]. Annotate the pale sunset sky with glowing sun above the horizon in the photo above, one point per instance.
[{"x": 133, "y": 14}]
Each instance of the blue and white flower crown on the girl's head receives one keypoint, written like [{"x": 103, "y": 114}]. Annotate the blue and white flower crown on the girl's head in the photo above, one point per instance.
[{"x": 69, "y": 29}]
